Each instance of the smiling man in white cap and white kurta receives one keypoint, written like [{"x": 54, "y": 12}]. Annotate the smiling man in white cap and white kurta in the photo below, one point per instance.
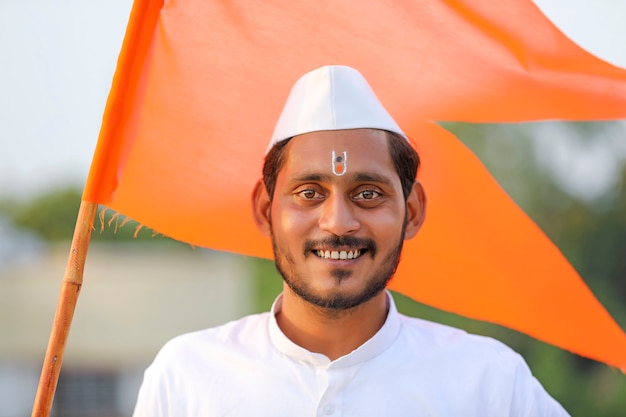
[{"x": 339, "y": 196}]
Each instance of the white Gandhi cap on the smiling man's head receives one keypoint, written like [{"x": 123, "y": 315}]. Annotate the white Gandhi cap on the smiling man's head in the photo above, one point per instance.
[{"x": 331, "y": 98}]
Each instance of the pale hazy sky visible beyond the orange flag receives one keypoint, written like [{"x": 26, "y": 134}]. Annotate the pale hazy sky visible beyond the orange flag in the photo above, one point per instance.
[{"x": 57, "y": 61}]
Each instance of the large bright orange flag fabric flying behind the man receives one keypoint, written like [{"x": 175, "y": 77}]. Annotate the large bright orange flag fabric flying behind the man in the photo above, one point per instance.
[{"x": 200, "y": 84}]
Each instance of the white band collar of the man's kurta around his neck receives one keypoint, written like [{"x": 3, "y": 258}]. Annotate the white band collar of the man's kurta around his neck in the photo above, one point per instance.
[{"x": 382, "y": 340}]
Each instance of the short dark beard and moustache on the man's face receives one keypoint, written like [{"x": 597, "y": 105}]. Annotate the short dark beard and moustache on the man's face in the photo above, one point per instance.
[{"x": 376, "y": 282}]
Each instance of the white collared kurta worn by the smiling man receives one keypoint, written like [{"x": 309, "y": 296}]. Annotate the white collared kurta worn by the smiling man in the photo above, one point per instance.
[{"x": 411, "y": 367}]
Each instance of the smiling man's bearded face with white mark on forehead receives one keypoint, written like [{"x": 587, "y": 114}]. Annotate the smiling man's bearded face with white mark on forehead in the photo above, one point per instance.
[{"x": 338, "y": 225}]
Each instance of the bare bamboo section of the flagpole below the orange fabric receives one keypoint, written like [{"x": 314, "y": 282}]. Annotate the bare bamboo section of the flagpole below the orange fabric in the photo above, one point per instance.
[{"x": 70, "y": 288}]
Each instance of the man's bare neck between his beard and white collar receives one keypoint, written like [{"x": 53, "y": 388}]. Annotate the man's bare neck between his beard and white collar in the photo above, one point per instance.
[{"x": 331, "y": 332}]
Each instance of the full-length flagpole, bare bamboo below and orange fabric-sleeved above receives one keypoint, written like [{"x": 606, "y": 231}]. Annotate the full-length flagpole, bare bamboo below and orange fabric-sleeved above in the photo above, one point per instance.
[{"x": 142, "y": 20}]
